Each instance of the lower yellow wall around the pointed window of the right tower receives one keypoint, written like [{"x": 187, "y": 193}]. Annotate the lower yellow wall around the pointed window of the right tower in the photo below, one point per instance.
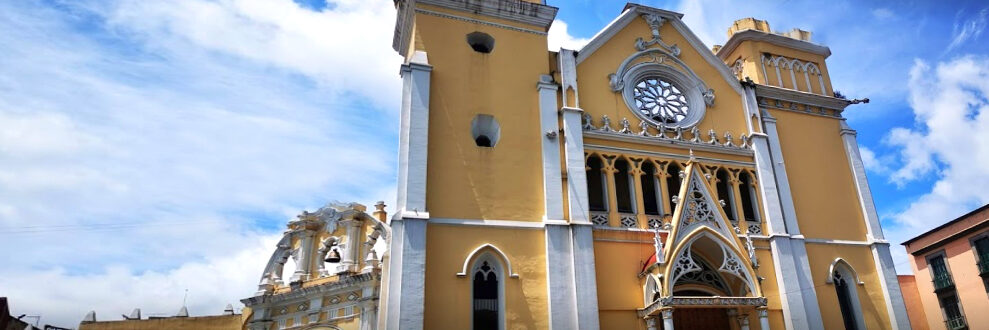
[{"x": 871, "y": 294}]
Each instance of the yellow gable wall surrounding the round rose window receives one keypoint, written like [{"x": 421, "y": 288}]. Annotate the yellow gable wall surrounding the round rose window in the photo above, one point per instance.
[{"x": 597, "y": 98}]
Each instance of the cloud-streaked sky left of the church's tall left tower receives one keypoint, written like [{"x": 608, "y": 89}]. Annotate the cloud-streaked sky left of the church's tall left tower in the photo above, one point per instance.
[{"x": 148, "y": 147}]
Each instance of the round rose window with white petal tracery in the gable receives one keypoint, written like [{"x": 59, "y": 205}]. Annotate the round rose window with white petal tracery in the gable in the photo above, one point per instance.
[{"x": 660, "y": 100}]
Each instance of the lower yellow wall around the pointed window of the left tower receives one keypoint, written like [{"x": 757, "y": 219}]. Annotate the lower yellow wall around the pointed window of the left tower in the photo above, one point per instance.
[{"x": 448, "y": 297}]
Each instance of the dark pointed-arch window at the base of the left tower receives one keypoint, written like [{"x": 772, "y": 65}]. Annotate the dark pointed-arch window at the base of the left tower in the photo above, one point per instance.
[{"x": 487, "y": 301}]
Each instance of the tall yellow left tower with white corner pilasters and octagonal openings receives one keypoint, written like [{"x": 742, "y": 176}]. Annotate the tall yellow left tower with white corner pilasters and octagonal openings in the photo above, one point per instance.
[{"x": 479, "y": 164}]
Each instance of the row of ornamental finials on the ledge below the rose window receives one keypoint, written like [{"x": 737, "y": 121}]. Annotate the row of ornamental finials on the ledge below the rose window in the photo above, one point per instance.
[{"x": 693, "y": 136}]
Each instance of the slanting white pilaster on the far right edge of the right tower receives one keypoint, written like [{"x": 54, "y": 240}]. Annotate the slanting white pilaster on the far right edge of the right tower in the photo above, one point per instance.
[{"x": 880, "y": 249}]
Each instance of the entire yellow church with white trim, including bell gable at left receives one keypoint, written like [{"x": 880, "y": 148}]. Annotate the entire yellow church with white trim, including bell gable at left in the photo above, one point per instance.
[{"x": 643, "y": 181}]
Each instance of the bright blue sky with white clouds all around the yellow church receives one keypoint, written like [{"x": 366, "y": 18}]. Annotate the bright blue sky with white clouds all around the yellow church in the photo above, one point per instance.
[{"x": 149, "y": 147}]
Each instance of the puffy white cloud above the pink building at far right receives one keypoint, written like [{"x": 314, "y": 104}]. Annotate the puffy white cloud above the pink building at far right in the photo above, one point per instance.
[{"x": 951, "y": 140}]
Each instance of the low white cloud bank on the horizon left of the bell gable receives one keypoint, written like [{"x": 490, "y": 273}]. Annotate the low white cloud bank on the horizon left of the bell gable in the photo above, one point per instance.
[{"x": 211, "y": 283}]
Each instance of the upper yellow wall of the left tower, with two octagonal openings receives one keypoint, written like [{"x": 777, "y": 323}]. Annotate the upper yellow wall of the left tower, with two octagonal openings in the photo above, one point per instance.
[{"x": 463, "y": 180}]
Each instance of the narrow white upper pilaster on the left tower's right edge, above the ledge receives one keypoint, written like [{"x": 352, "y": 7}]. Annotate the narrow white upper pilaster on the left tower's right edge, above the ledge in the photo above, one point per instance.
[{"x": 549, "y": 133}]
